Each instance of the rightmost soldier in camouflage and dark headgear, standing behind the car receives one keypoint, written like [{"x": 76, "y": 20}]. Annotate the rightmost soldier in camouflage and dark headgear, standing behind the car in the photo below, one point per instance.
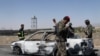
[{"x": 88, "y": 32}]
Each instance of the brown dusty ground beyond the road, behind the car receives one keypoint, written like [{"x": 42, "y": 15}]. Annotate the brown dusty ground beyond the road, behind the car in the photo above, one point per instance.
[{"x": 6, "y": 40}]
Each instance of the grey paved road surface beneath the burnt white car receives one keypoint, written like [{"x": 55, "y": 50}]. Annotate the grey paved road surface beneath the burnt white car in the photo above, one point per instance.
[{"x": 6, "y": 51}]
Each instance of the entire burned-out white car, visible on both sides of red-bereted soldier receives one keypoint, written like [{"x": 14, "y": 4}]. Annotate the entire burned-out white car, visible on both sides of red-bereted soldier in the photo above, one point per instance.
[{"x": 43, "y": 43}]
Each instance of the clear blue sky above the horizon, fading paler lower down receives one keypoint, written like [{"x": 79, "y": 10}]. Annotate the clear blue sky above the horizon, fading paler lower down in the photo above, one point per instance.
[{"x": 16, "y": 12}]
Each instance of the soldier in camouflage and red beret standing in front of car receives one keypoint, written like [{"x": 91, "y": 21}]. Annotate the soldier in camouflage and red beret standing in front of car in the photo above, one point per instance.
[{"x": 61, "y": 38}]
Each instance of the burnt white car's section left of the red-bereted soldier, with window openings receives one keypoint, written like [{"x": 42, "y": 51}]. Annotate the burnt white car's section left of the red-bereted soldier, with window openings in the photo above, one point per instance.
[{"x": 39, "y": 43}]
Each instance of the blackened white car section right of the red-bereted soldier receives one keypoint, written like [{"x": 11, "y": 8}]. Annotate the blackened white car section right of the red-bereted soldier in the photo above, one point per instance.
[{"x": 80, "y": 46}]
